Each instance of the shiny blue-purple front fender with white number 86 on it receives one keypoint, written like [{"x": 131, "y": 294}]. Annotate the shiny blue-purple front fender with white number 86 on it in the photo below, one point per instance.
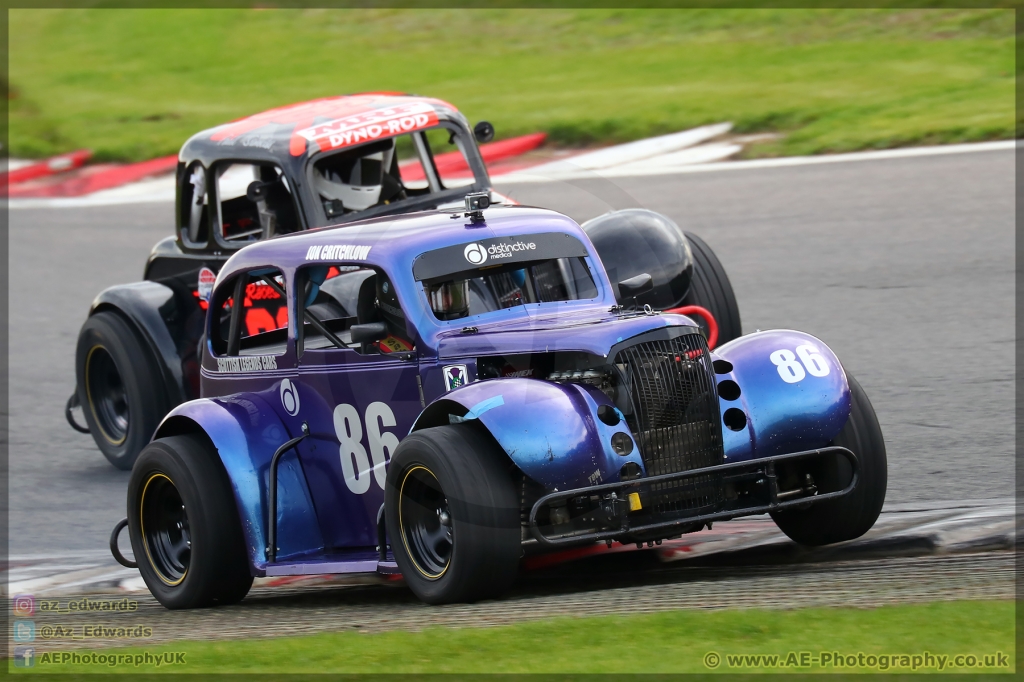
[{"x": 794, "y": 394}]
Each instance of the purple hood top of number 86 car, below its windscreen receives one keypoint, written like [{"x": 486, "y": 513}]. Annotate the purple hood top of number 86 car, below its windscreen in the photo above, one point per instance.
[{"x": 592, "y": 333}]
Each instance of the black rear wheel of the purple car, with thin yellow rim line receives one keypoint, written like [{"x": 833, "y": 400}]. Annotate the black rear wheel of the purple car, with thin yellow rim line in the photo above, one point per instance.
[{"x": 185, "y": 527}]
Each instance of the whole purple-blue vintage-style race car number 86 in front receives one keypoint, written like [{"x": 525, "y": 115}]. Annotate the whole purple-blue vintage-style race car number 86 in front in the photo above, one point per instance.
[{"x": 452, "y": 391}]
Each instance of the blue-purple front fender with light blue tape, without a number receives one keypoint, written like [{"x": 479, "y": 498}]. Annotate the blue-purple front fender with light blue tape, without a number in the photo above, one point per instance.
[{"x": 550, "y": 432}]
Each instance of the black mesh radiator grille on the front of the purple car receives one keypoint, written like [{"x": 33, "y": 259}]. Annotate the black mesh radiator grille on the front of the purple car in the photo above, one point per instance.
[{"x": 676, "y": 420}]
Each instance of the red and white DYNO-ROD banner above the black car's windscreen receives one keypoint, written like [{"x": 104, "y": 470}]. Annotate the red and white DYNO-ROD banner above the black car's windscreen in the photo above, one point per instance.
[{"x": 385, "y": 122}]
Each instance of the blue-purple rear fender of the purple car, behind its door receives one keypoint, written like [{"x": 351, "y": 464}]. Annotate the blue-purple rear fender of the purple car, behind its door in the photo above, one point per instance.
[{"x": 246, "y": 433}]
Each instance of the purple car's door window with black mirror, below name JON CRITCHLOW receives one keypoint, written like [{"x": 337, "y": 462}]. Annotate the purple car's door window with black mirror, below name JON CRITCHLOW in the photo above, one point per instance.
[{"x": 336, "y": 299}]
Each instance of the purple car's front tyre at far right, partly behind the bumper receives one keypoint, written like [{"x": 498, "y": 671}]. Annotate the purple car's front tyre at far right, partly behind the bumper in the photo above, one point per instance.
[{"x": 851, "y": 517}]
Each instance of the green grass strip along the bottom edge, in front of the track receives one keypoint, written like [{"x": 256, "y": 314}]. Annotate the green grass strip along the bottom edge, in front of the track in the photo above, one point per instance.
[{"x": 670, "y": 643}]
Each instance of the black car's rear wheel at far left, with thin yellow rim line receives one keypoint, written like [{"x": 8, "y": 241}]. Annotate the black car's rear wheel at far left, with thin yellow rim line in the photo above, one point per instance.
[{"x": 120, "y": 388}]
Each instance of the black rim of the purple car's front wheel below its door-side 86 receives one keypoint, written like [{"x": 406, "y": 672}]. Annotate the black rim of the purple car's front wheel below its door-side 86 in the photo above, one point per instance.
[{"x": 426, "y": 523}]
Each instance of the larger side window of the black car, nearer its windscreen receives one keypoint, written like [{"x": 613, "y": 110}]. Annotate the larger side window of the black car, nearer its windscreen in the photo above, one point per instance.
[{"x": 253, "y": 202}]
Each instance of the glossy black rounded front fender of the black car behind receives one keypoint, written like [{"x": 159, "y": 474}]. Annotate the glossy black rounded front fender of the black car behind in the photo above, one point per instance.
[{"x": 637, "y": 241}]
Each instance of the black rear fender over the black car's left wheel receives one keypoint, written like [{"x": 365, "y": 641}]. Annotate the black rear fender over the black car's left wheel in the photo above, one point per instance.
[{"x": 149, "y": 306}]
